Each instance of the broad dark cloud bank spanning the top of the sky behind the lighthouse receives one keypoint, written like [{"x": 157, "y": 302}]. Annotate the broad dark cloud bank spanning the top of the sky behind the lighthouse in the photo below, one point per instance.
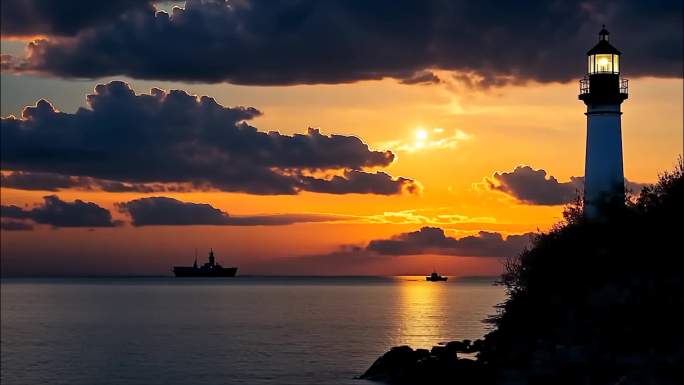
[{"x": 304, "y": 42}]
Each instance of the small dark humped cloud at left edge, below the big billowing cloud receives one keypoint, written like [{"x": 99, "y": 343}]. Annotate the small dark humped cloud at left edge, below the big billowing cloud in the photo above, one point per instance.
[{"x": 58, "y": 213}]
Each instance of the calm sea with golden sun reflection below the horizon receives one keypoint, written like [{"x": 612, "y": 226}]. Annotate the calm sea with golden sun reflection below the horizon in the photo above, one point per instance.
[{"x": 246, "y": 330}]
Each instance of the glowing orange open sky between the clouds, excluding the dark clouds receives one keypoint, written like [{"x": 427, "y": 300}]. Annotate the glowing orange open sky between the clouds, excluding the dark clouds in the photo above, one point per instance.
[{"x": 483, "y": 131}]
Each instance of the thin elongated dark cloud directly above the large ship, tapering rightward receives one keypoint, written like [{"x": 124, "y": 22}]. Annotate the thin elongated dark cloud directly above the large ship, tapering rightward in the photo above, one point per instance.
[{"x": 164, "y": 211}]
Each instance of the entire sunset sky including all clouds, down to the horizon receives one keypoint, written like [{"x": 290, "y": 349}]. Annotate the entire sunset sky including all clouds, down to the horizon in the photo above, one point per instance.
[{"x": 337, "y": 138}]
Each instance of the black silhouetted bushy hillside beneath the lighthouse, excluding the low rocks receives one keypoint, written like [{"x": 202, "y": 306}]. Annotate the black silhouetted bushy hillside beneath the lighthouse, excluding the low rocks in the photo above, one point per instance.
[{"x": 598, "y": 301}]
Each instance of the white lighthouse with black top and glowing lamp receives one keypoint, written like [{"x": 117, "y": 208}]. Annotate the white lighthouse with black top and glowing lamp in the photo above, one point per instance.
[{"x": 603, "y": 91}]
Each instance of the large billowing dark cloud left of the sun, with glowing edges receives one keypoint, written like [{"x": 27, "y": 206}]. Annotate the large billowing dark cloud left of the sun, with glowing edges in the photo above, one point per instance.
[{"x": 129, "y": 142}]
